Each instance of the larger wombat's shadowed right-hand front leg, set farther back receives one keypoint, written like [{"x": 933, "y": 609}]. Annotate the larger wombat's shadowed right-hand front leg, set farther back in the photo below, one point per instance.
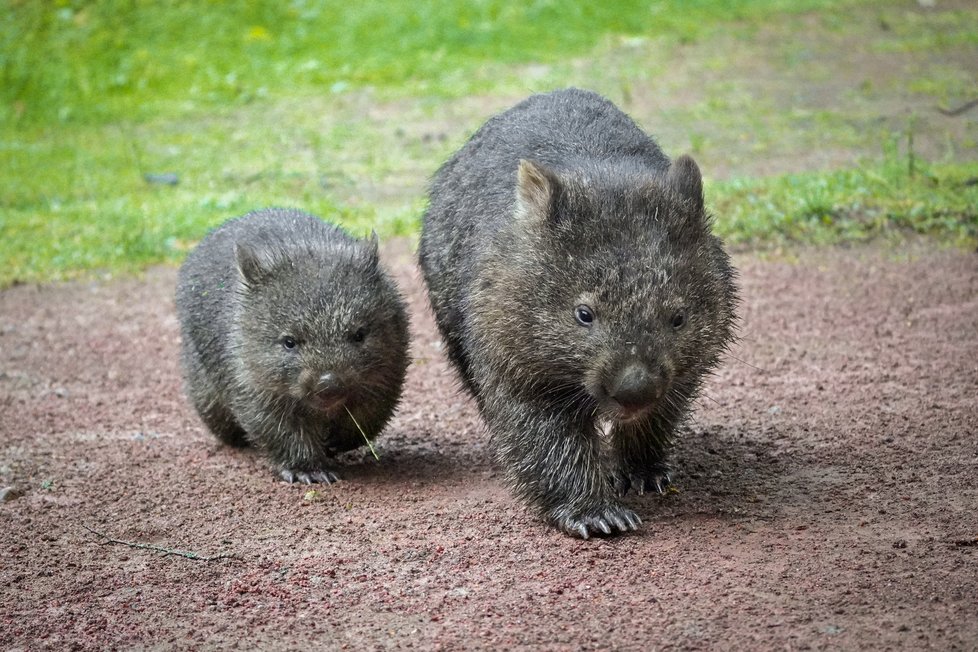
[{"x": 642, "y": 456}]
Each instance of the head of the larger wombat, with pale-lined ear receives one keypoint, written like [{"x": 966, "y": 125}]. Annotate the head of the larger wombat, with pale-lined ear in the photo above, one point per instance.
[{"x": 609, "y": 291}]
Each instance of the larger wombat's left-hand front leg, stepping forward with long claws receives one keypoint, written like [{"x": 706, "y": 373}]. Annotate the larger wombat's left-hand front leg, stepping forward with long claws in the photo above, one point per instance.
[{"x": 553, "y": 463}]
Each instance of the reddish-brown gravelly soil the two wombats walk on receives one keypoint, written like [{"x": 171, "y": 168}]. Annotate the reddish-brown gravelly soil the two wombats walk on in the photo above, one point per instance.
[{"x": 827, "y": 490}]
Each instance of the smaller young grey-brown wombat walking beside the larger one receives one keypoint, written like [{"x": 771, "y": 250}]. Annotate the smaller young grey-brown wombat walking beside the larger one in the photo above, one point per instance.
[{"x": 294, "y": 339}]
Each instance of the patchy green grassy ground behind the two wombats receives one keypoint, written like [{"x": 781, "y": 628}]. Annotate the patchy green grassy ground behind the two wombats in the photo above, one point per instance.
[{"x": 345, "y": 109}]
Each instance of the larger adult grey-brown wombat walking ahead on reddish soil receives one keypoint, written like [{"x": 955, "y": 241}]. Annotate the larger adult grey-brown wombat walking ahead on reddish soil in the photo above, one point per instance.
[{"x": 582, "y": 297}]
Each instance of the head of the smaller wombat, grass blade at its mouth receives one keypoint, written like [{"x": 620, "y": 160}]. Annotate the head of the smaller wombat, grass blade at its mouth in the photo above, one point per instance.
[{"x": 320, "y": 324}]
